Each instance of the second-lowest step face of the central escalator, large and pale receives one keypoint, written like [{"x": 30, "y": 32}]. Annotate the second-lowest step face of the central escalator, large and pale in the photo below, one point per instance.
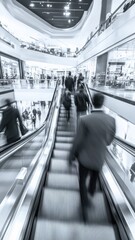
[{"x": 61, "y": 205}]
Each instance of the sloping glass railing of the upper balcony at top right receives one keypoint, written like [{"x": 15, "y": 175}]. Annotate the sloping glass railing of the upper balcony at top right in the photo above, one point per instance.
[{"x": 124, "y": 6}]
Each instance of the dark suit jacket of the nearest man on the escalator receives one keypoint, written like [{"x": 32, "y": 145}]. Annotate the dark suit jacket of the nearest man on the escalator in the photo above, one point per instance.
[{"x": 95, "y": 132}]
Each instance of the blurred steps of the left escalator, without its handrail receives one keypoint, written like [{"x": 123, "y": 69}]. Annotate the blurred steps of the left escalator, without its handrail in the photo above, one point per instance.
[{"x": 12, "y": 165}]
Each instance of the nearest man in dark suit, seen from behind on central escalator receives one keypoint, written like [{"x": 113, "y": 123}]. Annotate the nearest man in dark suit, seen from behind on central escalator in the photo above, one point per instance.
[{"x": 94, "y": 133}]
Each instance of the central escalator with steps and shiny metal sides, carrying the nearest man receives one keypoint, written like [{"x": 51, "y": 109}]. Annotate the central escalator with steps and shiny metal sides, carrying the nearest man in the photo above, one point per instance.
[{"x": 50, "y": 207}]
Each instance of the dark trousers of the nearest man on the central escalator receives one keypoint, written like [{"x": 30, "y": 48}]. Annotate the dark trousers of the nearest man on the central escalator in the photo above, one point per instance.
[{"x": 83, "y": 173}]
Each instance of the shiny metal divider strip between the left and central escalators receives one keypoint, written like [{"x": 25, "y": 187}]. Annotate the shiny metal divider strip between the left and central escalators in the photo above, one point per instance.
[{"x": 6, "y": 203}]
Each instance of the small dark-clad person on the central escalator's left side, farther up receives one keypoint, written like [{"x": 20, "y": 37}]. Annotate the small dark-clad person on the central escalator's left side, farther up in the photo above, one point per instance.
[{"x": 67, "y": 103}]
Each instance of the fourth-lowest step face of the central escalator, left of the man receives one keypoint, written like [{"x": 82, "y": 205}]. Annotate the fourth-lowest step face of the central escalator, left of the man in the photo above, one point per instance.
[{"x": 61, "y": 166}]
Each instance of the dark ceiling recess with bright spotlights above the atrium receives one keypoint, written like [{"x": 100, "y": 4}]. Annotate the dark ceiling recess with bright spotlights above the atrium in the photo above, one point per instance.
[{"x": 59, "y": 13}]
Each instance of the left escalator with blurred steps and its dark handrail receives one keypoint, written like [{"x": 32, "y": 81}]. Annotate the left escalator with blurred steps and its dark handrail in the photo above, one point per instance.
[{"x": 16, "y": 159}]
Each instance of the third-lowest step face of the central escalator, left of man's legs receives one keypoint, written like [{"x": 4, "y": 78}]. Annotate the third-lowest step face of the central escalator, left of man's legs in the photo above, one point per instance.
[{"x": 62, "y": 181}]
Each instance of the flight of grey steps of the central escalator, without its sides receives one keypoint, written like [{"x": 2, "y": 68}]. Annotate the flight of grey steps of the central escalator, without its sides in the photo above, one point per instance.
[{"x": 60, "y": 214}]
